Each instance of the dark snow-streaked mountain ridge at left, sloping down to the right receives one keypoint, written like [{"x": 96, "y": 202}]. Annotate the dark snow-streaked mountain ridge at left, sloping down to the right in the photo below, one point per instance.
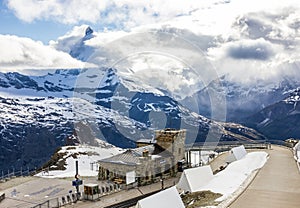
[{"x": 38, "y": 113}]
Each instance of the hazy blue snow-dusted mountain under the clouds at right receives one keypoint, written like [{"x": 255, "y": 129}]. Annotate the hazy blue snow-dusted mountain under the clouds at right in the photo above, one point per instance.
[{"x": 241, "y": 100}]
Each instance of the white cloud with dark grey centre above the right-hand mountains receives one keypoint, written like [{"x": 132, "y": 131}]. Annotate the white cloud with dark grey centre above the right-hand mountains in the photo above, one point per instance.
[{"x": 247, "y": 61}]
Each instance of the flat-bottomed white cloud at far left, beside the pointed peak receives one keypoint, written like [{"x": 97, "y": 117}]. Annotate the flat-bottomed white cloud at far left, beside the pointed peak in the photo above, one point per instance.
[{"x": 23, "y": 53}]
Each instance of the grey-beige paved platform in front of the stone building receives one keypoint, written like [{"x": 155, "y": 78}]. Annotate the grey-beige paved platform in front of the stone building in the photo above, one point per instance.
[{"x": 30, "y": 191}]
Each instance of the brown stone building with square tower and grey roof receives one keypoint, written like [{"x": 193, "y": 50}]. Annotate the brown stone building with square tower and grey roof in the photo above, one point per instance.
[{"x": 149, "y": 162}]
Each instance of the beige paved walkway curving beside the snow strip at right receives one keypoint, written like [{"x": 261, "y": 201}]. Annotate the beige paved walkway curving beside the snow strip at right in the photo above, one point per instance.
[{"x": 276, "y": 185}]
